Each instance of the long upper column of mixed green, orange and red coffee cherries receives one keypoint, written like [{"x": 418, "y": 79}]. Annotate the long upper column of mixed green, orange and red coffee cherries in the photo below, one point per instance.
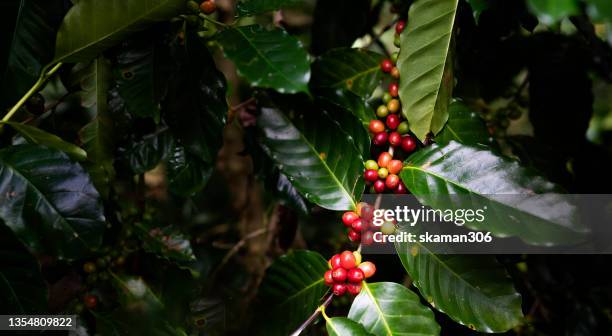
[{"x": 390, "y": 134}]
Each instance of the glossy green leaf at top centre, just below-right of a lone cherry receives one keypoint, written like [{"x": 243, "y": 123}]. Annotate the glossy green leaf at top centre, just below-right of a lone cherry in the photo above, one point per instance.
[{"x": 267, "y": 58}]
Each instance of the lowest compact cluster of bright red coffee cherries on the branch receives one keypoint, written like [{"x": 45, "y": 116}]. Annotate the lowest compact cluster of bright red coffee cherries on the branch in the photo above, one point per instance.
[{"x": 347, "y": 272}]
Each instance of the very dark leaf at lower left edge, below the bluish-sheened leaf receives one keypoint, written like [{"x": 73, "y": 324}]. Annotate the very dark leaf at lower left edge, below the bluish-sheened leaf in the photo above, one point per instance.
[{"x": 22, "y": 288}]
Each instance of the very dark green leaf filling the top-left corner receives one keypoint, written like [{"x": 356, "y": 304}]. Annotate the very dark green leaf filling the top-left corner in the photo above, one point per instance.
[{"x": 29, "y": 45}]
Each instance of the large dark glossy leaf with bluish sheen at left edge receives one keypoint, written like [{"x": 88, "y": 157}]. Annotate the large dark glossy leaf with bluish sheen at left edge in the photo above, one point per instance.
[{"x": 49, "y": 201}]
